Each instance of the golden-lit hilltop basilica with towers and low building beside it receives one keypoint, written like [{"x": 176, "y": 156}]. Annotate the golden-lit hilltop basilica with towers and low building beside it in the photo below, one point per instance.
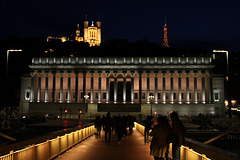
[{"x": 91, "y": 35}]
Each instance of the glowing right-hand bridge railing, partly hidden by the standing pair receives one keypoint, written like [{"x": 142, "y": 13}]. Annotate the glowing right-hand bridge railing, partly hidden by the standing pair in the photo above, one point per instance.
[{"x": 197, "y": 150}]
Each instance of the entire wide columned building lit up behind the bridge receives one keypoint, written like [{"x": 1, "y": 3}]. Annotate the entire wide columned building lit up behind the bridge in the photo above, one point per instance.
[{"x": 123, "y": 85}]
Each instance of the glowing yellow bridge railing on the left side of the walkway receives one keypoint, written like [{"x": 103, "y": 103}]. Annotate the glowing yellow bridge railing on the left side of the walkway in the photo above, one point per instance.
[{"x": 50, "y": 148}]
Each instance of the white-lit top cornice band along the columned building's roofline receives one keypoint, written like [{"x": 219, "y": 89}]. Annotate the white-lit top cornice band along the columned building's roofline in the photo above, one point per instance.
[{"x": 134, "y": 62}]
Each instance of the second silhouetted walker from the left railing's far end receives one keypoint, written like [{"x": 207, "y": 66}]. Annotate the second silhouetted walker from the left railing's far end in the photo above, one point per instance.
[{"x": 107, "y": 127}]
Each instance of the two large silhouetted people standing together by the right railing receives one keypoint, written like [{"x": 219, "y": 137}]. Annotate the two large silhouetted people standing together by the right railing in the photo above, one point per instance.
[{"x": 163, "y": 134}]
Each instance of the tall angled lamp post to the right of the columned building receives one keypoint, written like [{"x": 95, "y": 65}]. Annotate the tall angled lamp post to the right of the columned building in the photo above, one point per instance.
[{"x": 228, "y": 83}]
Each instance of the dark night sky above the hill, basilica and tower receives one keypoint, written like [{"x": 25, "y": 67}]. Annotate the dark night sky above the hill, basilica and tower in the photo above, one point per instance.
[{"x": 195, "y": 23}]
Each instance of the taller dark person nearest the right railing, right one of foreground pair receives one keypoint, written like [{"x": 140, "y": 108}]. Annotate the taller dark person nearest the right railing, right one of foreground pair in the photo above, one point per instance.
[{"x": 178, "y": 135}]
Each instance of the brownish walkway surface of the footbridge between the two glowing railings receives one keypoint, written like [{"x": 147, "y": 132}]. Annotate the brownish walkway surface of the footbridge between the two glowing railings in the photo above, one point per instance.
[{"x": 131, "y": 148}]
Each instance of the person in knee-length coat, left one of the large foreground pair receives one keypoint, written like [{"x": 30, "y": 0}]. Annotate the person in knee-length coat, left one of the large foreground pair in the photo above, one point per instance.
[{"x": 160, "y": 140}]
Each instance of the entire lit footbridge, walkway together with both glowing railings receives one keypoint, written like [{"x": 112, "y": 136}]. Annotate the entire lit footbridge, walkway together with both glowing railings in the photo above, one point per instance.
[{"x": 67, "y": 147}]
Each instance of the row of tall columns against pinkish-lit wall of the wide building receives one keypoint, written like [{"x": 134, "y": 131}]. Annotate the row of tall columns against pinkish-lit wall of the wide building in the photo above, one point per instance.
[{"x": 190, "y": 87}]
